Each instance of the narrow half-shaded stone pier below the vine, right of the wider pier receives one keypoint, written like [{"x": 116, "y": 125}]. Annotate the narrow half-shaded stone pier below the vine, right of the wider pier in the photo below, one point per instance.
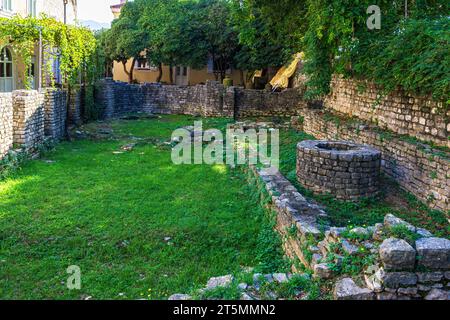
[{"x": 55, "y": 113}]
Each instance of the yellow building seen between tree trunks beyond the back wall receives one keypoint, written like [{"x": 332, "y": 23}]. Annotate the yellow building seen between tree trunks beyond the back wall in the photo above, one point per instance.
[{"x": 145, "y": 73}]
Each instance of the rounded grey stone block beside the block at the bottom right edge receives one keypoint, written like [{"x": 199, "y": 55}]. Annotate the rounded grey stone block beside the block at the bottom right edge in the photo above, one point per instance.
[{"x": 397, "y": 254}]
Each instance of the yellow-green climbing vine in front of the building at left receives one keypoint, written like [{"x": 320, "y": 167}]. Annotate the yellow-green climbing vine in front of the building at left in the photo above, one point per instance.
[{"x": 75, "y": 45}]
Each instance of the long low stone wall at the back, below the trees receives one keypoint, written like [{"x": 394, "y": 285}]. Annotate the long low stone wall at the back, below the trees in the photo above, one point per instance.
[{"x": 210, "y": 100}]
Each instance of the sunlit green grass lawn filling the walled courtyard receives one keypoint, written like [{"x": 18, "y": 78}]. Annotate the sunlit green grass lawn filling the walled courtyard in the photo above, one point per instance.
[{"x": 111, "y": 213}]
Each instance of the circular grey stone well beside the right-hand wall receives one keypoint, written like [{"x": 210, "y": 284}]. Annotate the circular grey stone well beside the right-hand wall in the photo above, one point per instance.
[{"x": 344, "y": 169}]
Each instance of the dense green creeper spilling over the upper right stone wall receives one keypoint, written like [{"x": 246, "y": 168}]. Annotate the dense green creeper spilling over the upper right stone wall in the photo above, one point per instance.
[{"x": 414, "y": 56}]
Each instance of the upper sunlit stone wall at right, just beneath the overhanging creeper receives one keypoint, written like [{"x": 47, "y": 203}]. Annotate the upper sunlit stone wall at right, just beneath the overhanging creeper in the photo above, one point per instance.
[{"x": 405, "y": 114}]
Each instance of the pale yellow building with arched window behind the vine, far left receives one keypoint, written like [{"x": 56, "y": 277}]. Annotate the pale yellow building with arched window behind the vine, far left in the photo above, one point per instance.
[{"x": 12, "y": 68}]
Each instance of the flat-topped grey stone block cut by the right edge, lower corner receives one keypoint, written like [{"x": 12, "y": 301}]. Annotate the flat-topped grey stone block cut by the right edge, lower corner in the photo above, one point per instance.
[{"x": 434, "y": 253}]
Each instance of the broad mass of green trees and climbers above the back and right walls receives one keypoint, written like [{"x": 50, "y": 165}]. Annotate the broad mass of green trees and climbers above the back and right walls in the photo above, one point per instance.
[{"x": 410, "y": 50}]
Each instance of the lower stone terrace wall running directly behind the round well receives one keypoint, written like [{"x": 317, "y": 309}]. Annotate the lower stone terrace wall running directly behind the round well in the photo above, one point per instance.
[{"x": 421, "y": 170}]
